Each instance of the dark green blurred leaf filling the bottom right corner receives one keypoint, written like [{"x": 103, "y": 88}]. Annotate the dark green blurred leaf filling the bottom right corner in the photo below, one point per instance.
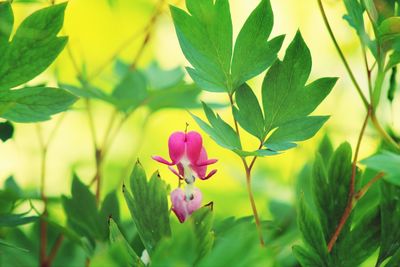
[{"x": 390, "y": 223}]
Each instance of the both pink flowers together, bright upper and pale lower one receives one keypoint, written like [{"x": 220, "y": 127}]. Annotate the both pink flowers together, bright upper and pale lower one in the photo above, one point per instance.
[{"x": 190, "y": 158}]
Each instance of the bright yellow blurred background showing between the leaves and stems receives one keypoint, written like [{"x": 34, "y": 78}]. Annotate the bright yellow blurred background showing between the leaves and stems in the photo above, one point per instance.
[{"x": 96, "y": 31}]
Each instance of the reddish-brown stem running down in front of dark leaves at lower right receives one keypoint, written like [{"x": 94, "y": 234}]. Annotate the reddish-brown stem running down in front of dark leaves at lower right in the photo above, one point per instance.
[{"x": 350, "y": 201}]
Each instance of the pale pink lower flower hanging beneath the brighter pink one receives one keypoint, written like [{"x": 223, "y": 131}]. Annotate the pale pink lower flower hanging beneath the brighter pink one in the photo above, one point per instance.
[{"x": 184, "y": 204}]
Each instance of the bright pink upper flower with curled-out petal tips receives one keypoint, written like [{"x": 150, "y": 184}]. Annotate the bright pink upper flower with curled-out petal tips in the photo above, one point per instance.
[{"x": 188, "y": 154}]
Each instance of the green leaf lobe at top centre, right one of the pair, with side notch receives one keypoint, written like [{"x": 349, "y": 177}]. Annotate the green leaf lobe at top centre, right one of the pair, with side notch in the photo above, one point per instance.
[{"x": 253, "y": 54}]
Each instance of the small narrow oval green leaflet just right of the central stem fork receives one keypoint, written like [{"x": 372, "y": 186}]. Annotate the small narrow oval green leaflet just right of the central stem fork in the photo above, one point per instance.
[{"x": 249, "y": 114}]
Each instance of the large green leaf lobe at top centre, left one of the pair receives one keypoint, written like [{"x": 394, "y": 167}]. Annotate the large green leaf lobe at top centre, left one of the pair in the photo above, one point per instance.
[{"x": 205, "y": 37}]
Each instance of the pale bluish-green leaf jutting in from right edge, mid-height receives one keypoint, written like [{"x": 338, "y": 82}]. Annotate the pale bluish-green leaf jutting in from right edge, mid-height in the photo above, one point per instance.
[{"x": 387, "y": 162}]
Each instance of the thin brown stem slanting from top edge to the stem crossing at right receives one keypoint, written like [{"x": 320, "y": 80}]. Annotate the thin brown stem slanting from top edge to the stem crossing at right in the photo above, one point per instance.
[{"x": 342, "y": 57}]
